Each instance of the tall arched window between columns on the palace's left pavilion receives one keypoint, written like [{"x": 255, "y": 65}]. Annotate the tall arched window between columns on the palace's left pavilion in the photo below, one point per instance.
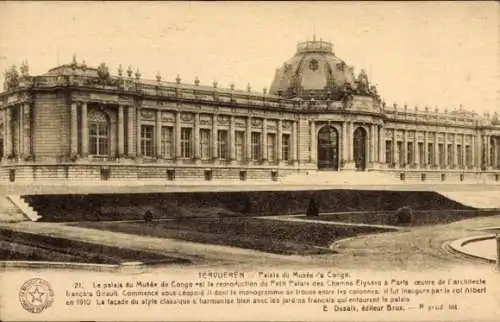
[{"x": 98, "y": 133}]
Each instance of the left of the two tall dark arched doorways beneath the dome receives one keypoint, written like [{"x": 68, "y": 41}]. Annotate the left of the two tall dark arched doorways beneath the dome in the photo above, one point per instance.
[{"x": 328, "y": 147}]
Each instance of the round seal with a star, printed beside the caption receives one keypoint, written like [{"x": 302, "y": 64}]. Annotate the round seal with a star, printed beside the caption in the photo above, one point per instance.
[{"x": 36, "y": 295}]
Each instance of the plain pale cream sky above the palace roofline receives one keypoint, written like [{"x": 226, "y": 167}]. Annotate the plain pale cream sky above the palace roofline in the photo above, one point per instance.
[{"x": 426, "y": 53}]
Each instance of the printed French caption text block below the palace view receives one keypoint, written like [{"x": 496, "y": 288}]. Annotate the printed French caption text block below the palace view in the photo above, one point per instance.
[{"x": 326, "y": 290}]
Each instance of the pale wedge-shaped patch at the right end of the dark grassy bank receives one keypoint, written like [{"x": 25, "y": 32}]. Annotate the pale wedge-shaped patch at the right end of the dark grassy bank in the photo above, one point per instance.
[{"x": 477, "y": 199}]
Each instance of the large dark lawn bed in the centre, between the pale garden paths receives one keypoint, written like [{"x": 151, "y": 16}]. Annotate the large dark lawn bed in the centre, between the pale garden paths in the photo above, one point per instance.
[{"x": 270, "y": 236}]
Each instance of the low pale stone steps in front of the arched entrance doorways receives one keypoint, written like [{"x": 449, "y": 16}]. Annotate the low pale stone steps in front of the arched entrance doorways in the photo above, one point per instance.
[{"x": 341, "y": 178}]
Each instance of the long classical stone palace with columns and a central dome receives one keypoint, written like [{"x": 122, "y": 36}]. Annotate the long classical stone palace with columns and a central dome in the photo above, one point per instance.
[{"x": 77, "y": 122}]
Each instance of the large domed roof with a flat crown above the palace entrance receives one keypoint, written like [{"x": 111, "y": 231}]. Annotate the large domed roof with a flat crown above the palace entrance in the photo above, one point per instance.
[{"x": 314, "y": 71}]
